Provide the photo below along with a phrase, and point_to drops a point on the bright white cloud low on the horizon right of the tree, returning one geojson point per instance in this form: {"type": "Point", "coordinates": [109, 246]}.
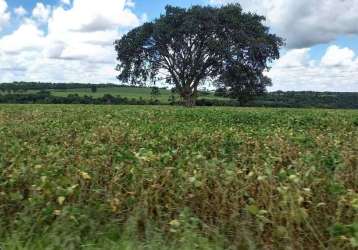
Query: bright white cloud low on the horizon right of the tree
{"type": "Point", "coordinates": [336, 71]}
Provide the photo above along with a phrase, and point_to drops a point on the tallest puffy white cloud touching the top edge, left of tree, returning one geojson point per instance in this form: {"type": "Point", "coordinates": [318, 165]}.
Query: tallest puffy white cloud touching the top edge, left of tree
{"type": "Point", "coordinates": [88, 29]}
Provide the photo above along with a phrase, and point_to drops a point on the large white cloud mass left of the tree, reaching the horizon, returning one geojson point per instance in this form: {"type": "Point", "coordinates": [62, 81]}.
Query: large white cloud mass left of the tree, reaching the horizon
{"type": "Point", "coordinates": [76, 46]}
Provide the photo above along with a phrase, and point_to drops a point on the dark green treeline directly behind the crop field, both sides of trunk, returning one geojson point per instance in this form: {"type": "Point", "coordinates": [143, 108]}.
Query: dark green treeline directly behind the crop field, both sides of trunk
{"type": "Point", "coordinates": [276, 99]}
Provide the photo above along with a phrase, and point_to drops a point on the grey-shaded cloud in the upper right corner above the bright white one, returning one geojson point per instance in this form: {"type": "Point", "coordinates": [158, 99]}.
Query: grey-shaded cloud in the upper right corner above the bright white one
{"type": "Point", "coordinates": [305, 23]}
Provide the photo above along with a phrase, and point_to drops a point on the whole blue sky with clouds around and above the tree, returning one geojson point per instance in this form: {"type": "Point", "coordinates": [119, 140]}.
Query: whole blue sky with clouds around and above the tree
{"type": "Point", "coordinates": [72, 40]}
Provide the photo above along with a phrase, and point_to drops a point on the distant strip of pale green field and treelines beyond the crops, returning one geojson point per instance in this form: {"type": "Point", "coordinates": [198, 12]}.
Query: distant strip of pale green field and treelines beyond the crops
{"type": "Point", "coordinates": [82, 94]}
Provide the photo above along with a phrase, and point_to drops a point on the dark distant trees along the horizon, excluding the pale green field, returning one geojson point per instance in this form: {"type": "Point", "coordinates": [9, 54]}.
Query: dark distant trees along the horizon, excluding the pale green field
{"type": "Point", "coordinates": [16, 93]}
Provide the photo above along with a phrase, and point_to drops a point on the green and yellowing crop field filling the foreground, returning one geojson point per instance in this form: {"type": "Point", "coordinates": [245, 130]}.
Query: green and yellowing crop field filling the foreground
{"type": "Point", "coordinates": [130, 177]}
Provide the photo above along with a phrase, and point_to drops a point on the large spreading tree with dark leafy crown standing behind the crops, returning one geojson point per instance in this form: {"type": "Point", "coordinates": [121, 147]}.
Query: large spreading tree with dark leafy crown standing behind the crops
{"type": "Point", "coordinates": [189, 47]}
